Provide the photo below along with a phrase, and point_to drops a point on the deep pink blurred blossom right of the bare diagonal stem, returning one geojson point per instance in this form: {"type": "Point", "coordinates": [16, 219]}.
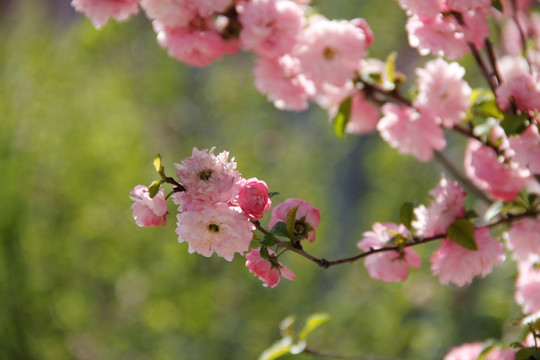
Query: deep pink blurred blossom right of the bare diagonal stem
{"type": "Point", "coordinates": [502, 181]}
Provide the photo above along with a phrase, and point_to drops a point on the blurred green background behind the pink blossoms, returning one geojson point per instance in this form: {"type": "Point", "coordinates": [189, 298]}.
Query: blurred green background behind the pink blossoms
{"type": "Point", "coordinates": [82, 114]}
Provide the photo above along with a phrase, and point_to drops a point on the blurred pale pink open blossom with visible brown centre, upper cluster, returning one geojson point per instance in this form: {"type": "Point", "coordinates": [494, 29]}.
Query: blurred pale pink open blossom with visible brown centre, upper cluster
{"type": "Point", "coordinates": [330, 51]}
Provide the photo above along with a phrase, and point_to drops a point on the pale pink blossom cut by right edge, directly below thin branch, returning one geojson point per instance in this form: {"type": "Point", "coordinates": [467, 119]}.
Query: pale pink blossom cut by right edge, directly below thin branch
{"type": "Point", "coordinates": [524, 238]}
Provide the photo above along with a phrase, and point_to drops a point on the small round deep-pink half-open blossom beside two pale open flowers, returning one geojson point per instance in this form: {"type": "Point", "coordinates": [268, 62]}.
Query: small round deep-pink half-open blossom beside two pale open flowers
{"type": "Point", "coordinates": [253, 198]}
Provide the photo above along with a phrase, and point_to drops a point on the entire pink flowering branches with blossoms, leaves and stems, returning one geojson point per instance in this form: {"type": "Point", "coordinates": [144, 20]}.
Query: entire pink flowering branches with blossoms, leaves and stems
{"type": "Point", "coordinates": [303, 57]}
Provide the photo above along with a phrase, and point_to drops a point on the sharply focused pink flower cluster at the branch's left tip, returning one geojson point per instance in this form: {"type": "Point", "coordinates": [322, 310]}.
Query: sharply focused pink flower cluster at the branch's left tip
{"type": "Point", "coordinates": [217, 210]}
